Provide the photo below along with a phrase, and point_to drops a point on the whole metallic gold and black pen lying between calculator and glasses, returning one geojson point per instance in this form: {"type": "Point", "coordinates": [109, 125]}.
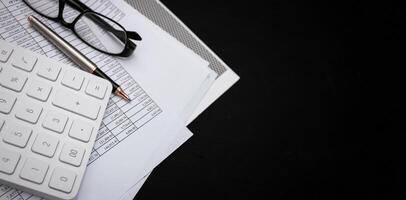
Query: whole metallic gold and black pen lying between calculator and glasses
{"type": "Point", "coordinates": [74, 54]}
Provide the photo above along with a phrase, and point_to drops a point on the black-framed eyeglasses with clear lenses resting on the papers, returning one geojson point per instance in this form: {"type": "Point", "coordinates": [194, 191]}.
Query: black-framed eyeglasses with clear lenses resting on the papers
{"type": "Point", "coordinates": [94, 29]}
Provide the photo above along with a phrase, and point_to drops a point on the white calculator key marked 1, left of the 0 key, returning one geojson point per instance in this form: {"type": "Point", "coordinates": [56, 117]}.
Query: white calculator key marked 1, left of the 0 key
{"type": "Point", "coordinates": [34, 170]}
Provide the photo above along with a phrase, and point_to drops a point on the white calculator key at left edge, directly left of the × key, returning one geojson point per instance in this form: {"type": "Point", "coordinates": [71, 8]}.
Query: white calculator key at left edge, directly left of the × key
{"type": "Point", "coordinates": [12, 79]}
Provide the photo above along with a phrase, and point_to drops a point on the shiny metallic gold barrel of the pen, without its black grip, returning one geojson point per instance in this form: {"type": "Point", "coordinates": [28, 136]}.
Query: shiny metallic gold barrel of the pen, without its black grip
{"type": "Point", "coordinates": [74, 54]}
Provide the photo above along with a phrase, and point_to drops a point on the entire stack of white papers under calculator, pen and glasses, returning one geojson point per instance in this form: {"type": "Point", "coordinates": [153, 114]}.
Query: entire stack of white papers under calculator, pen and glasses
{"type": "Point", "coordinates": [168, 83]}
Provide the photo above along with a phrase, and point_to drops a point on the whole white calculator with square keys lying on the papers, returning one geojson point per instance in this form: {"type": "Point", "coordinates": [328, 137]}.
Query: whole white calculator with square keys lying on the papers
{"type": "Point", "coordinates": [50, 114]}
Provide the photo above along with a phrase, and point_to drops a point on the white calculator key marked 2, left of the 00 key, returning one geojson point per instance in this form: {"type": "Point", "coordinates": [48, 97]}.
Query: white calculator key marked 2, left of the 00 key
{"type": "Point", "coordinates": [45, 145]}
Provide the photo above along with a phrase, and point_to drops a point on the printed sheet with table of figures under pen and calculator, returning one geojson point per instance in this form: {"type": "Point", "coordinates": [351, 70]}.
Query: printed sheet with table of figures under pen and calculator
{"type": "Point", "coordinates": [121, 118]}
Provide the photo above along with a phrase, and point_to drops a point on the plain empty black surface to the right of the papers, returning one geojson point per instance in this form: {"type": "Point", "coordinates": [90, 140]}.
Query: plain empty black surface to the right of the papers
{"type": "Point", "coordinates": [318, 113]}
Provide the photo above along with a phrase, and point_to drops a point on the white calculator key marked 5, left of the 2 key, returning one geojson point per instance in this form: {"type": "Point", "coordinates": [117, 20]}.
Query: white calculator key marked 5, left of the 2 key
{"type": "Point", "coordinates": [16, 134]}
